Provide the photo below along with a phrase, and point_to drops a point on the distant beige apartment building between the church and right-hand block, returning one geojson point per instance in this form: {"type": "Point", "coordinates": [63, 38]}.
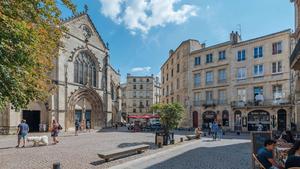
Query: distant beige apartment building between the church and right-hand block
{"type": "Point", "coordinates": [139, 94]}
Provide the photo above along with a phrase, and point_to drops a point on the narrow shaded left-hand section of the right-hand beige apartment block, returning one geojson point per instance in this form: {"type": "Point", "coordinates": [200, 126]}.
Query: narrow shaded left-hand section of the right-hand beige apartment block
{"type": "Point", "coordinates": [174, 77]}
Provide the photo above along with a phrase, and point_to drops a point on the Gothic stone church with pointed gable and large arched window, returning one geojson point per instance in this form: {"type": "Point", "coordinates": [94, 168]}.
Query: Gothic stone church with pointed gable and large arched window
{"type": "Point", "coordinates": [87, 86]}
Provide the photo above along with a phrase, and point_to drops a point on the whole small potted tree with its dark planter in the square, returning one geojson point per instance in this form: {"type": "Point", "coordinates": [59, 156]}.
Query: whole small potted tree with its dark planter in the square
{"type": "Point", "coordinates": [170, 116]}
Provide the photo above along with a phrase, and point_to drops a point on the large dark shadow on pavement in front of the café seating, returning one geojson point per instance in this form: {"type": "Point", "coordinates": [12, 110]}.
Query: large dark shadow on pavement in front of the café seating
{"type": "Point", "coordinates": [236, 156]}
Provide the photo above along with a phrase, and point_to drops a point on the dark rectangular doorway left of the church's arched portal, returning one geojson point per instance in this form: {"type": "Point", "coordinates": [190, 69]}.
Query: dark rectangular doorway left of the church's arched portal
{"type": "Point", "coordinates": [32, 119]}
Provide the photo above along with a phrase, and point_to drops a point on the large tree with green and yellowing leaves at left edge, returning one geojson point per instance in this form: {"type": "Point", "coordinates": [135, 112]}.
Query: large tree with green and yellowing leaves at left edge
{"type": "Point", "coordinates": [29, 41]}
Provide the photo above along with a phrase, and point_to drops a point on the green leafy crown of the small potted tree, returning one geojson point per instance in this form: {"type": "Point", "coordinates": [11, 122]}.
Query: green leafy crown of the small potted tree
{"type": "Point", "coordinates": [170, 114]}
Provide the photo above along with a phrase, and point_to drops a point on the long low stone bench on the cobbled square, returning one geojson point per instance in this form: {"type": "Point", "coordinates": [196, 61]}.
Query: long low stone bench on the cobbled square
{"type": "Point", "coordinates": [107, 155]}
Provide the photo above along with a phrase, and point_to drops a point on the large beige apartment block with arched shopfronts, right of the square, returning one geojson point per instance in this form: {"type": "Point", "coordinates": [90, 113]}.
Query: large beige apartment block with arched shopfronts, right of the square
{"type": "Point", "coordinates": [238, 83]}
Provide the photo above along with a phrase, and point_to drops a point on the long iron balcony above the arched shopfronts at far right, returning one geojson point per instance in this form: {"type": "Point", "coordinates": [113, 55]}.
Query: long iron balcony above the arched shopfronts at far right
{"type": "Point", "coordinates": [264, 103]}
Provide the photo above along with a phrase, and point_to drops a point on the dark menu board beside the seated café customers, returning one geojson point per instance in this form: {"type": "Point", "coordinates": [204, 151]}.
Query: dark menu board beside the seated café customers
{"type": "Point", "coordinates": [258, 139]}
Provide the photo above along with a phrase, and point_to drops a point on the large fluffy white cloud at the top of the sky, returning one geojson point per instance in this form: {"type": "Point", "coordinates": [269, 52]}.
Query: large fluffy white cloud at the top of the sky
{"type": "Point", "coordinates": [142, 15]}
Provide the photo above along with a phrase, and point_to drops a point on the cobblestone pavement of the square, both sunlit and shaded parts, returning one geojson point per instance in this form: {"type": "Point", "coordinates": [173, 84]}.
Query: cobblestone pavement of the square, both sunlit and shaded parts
{"type": "Point", "coordinates": [80, 152]}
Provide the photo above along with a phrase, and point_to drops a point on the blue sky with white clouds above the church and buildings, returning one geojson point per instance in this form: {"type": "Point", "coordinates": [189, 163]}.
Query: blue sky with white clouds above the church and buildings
{"type": "Point", "coordinates": [141, 32]}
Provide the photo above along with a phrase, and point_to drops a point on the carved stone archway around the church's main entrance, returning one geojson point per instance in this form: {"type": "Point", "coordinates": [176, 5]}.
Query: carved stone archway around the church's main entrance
{"type": "Point", "coordinates": [97, 115]}
